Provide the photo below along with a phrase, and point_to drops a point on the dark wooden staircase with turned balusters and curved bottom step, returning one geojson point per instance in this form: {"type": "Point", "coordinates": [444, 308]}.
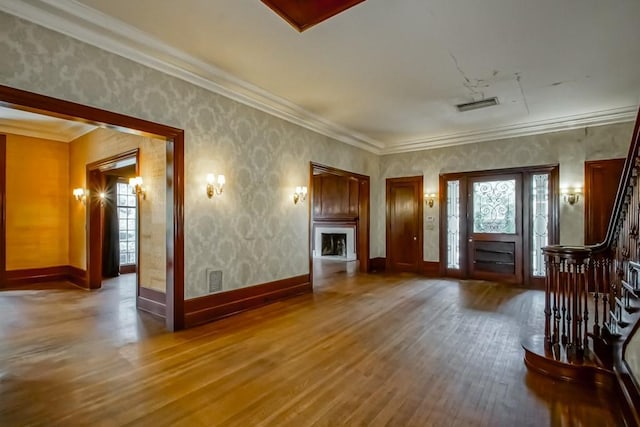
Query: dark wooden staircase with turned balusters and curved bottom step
{"type": "Point", "coordinates": [592, 303]}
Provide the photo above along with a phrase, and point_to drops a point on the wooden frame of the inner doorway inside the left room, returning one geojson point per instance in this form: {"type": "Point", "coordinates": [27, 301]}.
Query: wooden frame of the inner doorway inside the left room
{"type": "Point", "coordinates": [94, 217]}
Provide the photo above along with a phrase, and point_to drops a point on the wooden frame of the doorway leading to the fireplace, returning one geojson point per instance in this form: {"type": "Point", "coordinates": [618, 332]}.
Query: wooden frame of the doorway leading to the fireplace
{"type": "Point", "coordinates": [362, 222]}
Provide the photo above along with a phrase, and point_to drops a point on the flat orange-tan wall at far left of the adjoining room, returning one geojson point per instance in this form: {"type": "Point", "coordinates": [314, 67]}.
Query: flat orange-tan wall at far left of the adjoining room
{"type": "Point", "coordinates": [37, 203]}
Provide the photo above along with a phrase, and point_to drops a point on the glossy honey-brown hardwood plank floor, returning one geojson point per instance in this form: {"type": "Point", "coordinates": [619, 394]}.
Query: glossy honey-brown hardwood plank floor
{"type": "Point", "coordinates": [362, 350]}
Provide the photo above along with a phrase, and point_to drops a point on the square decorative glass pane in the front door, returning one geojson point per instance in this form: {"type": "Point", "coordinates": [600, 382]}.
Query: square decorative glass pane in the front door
{"type": "Point", "coordinates": [494, 207]}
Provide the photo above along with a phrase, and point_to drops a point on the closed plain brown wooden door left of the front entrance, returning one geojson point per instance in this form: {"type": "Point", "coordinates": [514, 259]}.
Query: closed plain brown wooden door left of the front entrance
{"type": "Point", "coordinates": [404, 224]}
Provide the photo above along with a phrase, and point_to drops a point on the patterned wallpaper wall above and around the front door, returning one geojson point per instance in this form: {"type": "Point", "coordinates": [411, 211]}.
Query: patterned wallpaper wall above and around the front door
{"type": "Point", "coordinates": [568, 148]}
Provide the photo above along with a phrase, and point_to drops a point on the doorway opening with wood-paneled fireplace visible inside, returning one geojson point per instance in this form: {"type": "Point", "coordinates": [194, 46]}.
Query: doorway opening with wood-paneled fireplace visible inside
{"type": "Point", "coordinates": [339, 222]}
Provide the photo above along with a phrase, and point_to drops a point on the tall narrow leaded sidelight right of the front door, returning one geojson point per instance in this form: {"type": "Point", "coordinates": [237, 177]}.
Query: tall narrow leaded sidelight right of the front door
{"type": "Point", "coordinates": [540, 221]}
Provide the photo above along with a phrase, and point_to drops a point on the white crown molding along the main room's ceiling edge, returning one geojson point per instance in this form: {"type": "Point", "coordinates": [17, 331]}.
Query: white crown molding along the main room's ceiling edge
{"type": "Point", "coordinates": [95, 28]}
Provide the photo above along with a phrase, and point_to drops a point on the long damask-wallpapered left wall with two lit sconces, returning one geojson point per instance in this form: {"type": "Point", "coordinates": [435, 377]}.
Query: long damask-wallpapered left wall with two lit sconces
{"type": "Point", "coordinates": [253, 233]}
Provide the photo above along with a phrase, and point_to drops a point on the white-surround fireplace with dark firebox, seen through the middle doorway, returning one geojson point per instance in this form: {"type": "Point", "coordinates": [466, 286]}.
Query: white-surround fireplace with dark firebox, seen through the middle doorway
{"type": "Point", "coordinates": [336, 242]}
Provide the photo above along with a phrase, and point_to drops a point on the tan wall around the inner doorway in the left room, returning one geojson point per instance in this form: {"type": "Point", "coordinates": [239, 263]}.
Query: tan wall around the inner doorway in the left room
{"type": "Point", "coordinates": [103, 143]}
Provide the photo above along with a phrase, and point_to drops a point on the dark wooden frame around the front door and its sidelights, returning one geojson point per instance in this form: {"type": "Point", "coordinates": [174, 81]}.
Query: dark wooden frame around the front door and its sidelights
{"type": "Point", "coordinates": [554, 216]}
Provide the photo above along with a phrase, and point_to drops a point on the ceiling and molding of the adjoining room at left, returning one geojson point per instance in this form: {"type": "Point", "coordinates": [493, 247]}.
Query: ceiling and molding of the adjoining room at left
{"type": "Point", "coordinates": [25, 123]}
